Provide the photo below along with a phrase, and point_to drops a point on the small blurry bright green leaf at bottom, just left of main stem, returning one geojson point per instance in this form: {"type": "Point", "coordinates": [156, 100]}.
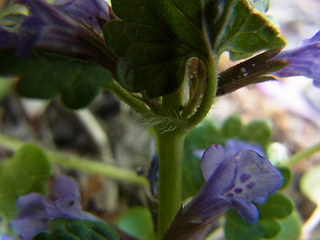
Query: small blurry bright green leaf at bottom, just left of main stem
{"type": "Point", "coordinates": [137, 222]}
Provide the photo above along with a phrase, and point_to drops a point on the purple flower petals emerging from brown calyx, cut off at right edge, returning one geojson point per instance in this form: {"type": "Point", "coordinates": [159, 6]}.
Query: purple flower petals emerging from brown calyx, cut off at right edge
{"type": "Point", "coordinates": [303, 61]}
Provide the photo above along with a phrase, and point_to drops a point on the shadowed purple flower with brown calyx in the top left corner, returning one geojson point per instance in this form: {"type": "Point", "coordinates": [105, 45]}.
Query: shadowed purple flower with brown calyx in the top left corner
{"type": "Point", "coordinates": [68, 27]}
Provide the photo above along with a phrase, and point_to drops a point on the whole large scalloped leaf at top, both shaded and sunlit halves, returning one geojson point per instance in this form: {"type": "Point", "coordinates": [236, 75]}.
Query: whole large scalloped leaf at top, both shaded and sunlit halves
{"type": "Point", "coordinates": [155, 46]}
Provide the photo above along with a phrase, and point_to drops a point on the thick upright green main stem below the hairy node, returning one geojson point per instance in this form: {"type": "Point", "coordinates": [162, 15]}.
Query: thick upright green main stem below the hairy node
{"type": "Point", "coordinates": [170, 150]}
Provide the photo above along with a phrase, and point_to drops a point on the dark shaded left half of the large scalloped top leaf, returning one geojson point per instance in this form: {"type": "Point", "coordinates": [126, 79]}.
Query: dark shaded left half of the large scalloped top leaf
{"type": "Point", "coordinates": [155, 45]}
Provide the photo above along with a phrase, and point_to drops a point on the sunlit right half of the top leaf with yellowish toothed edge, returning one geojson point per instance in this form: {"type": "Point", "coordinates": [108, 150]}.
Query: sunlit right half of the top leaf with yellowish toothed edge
{"type": "Point", "coordinates": [242, 31]}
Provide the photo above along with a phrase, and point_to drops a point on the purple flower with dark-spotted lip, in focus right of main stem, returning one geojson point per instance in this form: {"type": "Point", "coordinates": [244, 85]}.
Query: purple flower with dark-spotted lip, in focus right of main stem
{"type": "Point", "coordinates": [233, 179]}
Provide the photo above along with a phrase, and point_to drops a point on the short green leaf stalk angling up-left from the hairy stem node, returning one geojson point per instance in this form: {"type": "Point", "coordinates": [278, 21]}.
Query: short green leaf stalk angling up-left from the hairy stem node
{"type": "Point", "coordinates": [126, 97]}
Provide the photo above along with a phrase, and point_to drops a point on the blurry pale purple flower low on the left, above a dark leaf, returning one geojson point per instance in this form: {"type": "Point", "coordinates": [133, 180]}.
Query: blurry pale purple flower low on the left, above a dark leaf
{"type": "Point", "coordinates": [35, 211]}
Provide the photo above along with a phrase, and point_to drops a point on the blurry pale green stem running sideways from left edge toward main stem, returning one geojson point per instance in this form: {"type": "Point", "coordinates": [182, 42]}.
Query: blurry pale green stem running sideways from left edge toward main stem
{"type": "Point", "coordinates": [82, 164]}
